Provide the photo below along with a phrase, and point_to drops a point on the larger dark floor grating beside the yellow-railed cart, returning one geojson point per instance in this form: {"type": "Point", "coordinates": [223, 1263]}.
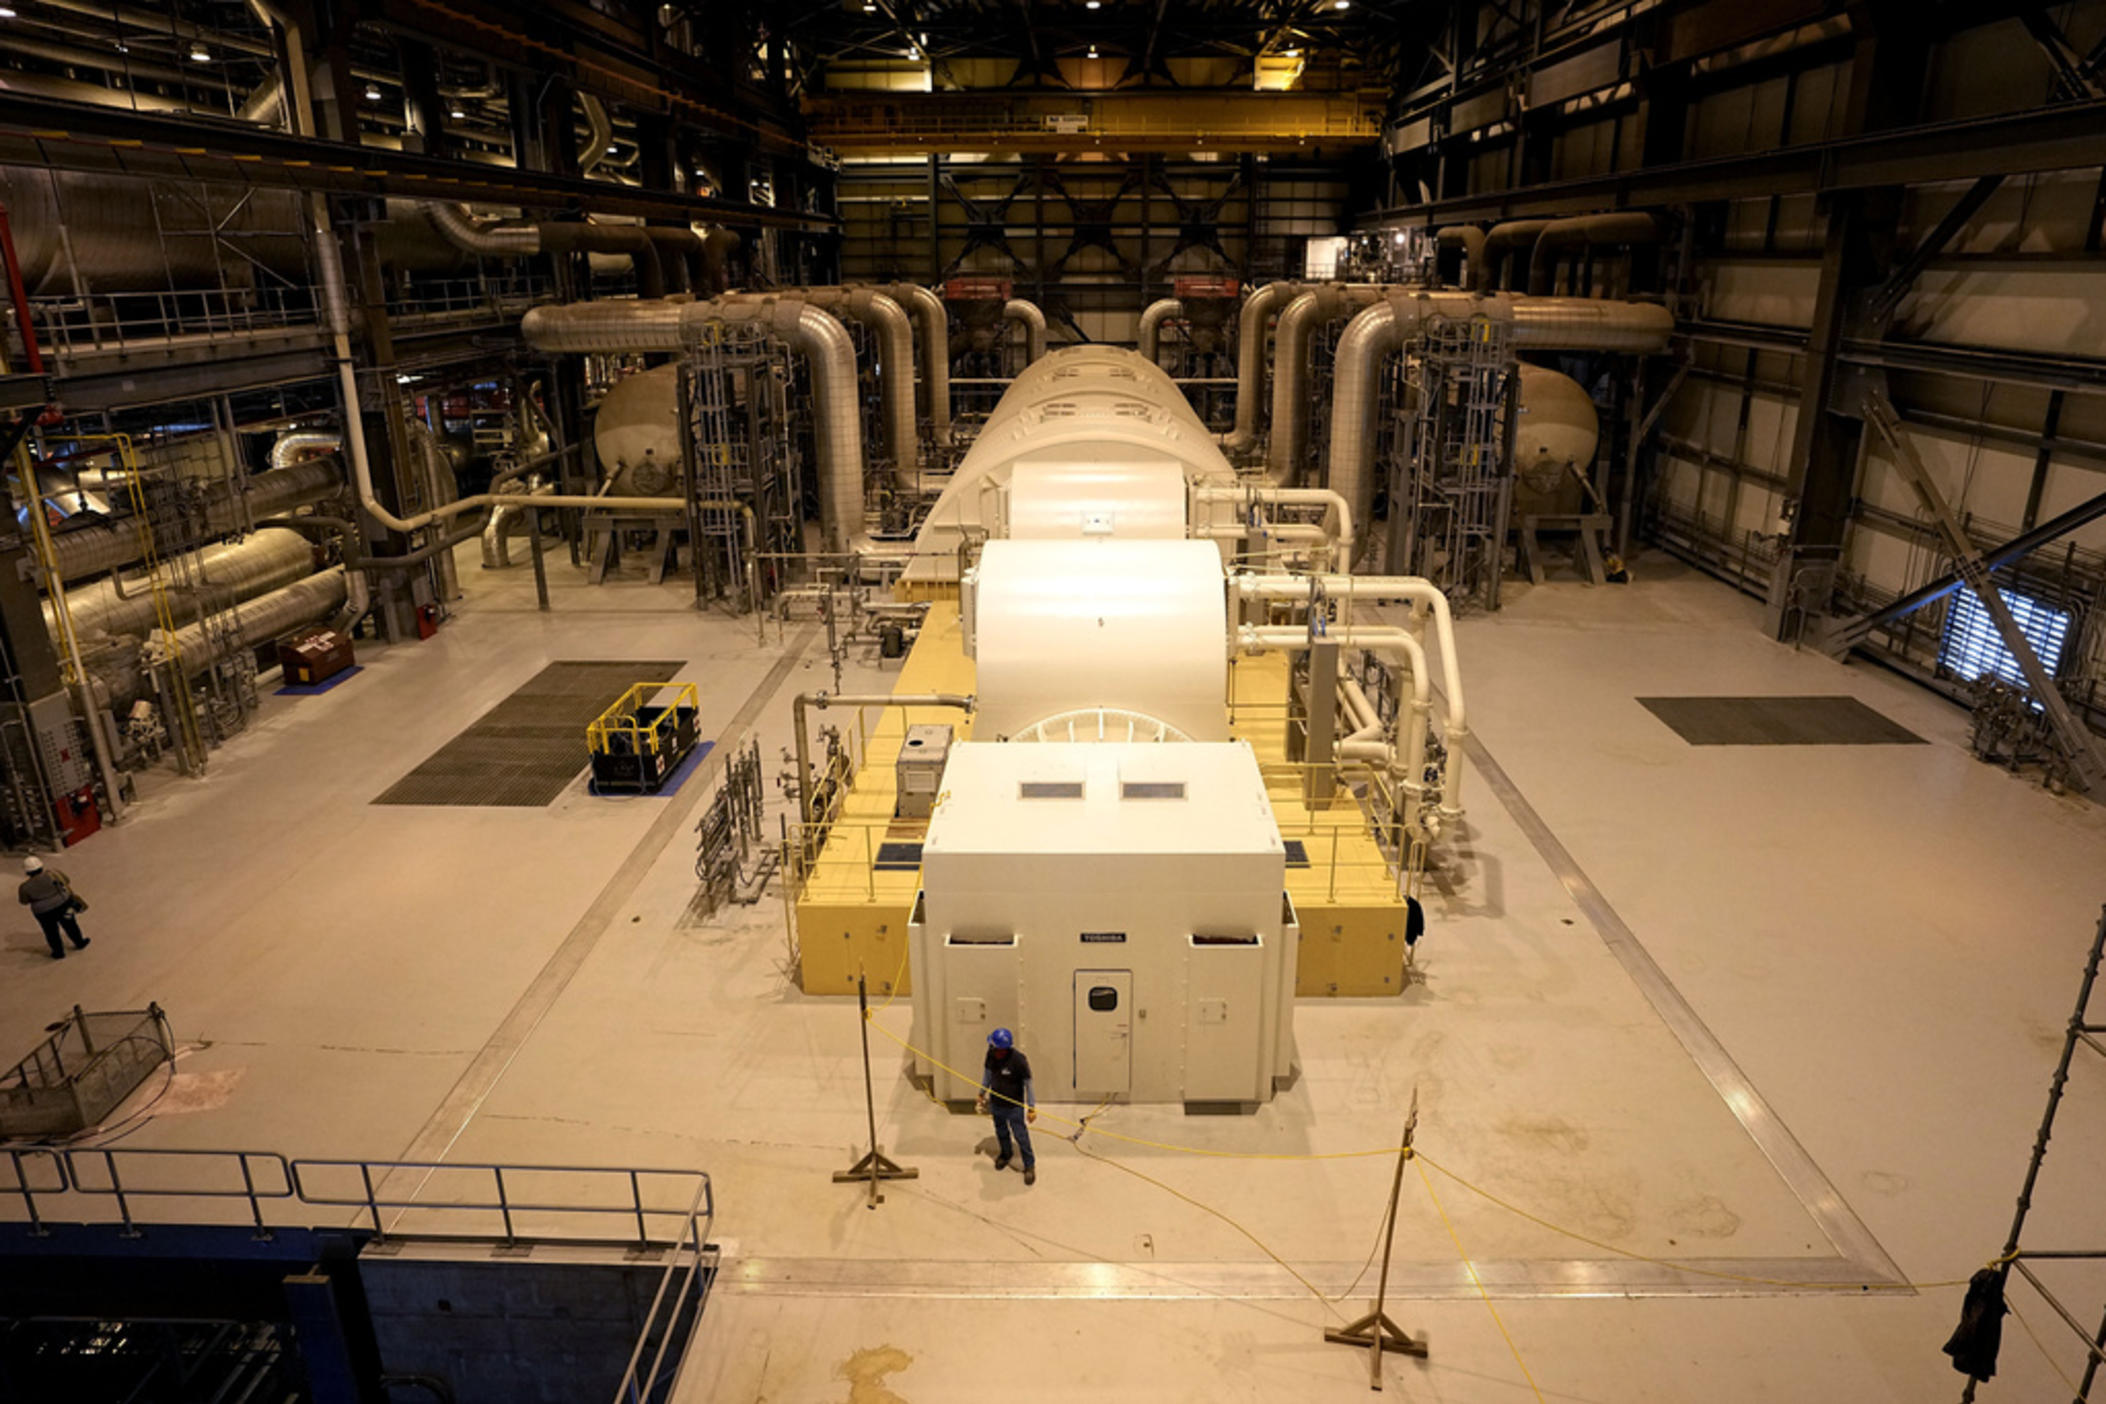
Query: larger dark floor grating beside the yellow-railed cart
{"type": "Point", "coordinates": [525, 750]}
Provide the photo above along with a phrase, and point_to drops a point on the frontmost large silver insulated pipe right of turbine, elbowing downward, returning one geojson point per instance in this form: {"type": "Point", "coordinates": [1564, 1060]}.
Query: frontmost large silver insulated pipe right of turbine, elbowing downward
{"type": "Point", "coordinates": [1541, 325]}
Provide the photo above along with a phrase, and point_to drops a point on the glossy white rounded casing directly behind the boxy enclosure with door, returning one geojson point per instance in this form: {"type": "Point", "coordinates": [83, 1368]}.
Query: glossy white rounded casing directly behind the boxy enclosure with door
{"type": "Point", "coordinates": [1062, 626]}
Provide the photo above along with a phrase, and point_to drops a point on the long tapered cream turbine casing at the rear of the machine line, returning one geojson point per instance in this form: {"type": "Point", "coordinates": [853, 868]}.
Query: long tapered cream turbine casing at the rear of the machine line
{"type": "Point", "coordinates": [1079, 405]}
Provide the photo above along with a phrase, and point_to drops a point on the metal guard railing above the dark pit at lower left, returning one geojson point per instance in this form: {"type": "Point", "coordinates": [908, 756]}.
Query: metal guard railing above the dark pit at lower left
{"type": "Point", "coordinates": [511, 1207]}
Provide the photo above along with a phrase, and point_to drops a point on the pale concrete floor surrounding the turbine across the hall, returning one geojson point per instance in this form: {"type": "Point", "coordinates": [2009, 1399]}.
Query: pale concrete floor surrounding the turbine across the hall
{"type": "Point", "coordinates": [1884, 942]}
